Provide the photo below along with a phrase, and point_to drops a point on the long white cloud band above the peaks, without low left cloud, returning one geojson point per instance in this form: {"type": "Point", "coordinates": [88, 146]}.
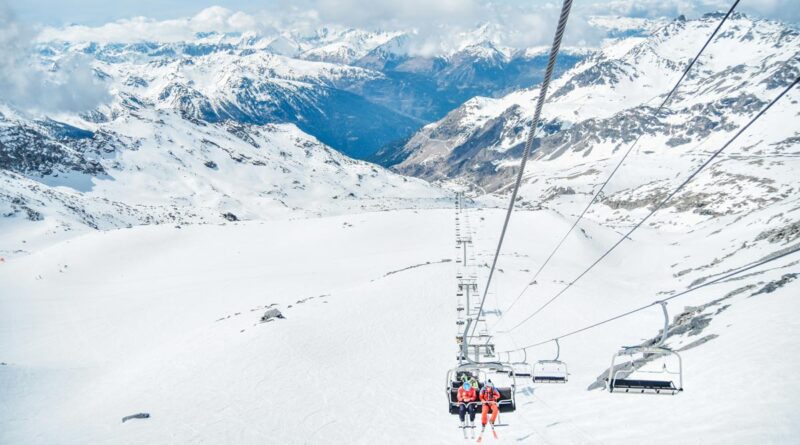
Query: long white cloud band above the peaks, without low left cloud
{"type": "Point", "coordinates": [437, 25]}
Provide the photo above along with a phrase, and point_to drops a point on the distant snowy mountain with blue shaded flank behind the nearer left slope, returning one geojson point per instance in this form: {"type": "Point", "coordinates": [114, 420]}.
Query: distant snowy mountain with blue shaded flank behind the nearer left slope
{"type": "Point", "coordinates": [222, 81]}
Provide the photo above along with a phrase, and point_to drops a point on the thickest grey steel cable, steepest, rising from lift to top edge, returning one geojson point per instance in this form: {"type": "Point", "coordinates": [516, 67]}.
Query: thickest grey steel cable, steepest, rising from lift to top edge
{"type": "Point", "coordinates": [562, 24]}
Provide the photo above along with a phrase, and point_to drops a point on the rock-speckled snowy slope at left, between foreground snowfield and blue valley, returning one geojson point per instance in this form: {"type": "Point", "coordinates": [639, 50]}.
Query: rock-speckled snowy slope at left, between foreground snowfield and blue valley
{"type": "Point", "coordinates": [149, 166]}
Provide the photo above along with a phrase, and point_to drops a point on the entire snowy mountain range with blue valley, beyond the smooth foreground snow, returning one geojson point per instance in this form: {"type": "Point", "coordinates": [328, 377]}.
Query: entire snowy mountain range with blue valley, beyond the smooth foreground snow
{"type": "Point", "coordinates": [230, 127]}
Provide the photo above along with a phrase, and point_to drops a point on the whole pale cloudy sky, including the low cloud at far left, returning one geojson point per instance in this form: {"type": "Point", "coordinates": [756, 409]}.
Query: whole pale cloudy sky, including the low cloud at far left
{"type": "Point", "coordinates": [437, 25]}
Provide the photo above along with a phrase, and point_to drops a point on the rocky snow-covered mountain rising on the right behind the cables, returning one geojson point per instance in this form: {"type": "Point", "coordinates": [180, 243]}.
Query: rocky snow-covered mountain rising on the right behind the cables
{"type": "Point", "coordinates": [602, 104]}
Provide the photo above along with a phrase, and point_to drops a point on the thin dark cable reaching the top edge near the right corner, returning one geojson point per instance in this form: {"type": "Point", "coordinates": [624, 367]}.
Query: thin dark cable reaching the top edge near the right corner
{"type": "Point", "coordinates": [617, 167]}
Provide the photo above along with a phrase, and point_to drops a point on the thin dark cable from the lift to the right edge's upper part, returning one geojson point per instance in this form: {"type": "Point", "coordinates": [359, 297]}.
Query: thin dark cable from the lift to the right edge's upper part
{"type": "Point", "coordinates": [660, 205]}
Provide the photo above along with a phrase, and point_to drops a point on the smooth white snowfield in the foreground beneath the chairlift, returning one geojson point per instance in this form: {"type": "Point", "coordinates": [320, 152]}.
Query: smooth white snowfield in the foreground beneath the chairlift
{"type": "Point", "coordinates": [167, 321]}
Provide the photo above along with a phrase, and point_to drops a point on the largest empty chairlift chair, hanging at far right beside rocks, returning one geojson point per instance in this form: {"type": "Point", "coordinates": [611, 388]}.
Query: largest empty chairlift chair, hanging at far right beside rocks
{"type": "Point", "coordinates": [645, 370]}
